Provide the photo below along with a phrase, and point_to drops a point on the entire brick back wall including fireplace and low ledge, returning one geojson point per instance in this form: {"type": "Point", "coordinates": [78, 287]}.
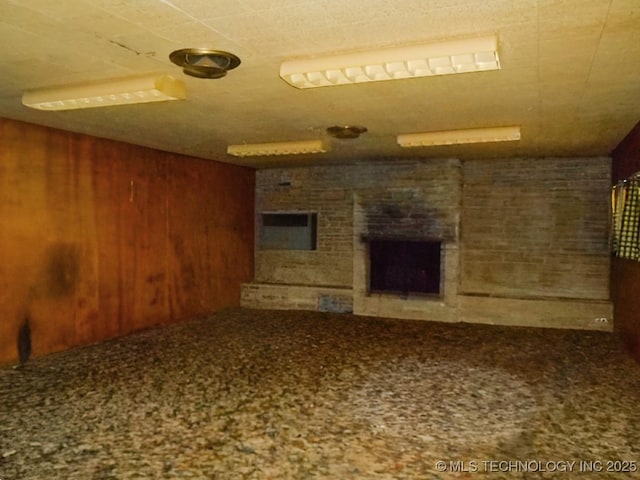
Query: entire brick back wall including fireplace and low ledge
{"type": "Point", "coordinates": [519, 241]}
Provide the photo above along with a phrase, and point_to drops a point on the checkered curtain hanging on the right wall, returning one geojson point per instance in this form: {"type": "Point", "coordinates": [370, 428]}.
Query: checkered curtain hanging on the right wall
{"type": "Point", "coordinates": [625, 202]}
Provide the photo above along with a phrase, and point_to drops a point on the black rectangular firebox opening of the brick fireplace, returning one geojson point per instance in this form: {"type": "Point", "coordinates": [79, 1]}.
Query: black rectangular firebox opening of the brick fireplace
{"type": "Point", "coordinates": [404, 266]}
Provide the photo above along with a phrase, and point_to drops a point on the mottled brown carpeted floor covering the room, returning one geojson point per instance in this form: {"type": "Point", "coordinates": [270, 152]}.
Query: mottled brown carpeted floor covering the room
{"type": "Point", "coordinates": [251, 394]}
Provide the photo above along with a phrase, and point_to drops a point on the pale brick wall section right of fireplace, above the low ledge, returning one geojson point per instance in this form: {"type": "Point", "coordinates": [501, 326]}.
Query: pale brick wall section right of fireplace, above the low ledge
{"type": "Point", "coordinates": [536, 228]}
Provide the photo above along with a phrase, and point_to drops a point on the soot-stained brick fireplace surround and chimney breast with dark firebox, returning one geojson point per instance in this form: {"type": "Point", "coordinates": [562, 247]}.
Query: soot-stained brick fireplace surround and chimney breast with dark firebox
{"type": "Point", "coordinates": [423, 208]}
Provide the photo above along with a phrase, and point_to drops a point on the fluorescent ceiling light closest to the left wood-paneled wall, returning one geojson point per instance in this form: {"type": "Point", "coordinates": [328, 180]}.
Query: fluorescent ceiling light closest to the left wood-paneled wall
{"type": "Point", "coordinates": [125, 91]}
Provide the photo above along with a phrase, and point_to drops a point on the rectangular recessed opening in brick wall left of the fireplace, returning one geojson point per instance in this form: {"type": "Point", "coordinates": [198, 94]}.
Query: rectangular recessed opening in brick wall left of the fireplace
{"type": "Point", "coordinates": [288, 231]}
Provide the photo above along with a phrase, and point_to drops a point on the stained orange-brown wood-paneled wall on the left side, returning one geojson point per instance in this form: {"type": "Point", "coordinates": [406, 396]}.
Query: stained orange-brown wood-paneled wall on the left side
{"type": "Point", "coordinates": [100, 238]}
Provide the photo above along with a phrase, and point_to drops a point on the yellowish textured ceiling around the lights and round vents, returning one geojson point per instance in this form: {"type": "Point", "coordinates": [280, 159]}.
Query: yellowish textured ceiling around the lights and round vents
{"type": "Point", "coordinates": [570, 73]}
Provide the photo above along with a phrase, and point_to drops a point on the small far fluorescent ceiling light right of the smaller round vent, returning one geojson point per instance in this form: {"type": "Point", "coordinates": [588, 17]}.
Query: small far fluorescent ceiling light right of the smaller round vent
{"type": "Point", "coordinates": [451, 137]}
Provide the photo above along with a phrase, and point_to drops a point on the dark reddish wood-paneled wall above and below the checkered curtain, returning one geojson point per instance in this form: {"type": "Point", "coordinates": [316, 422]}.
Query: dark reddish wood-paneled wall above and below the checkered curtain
{"type": "Point", "coordinates": [625, 274]}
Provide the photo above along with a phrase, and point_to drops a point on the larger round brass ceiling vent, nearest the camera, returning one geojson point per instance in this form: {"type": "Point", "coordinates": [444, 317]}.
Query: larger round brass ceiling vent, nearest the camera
{"type": "Point", "coordinates": [203, 62]}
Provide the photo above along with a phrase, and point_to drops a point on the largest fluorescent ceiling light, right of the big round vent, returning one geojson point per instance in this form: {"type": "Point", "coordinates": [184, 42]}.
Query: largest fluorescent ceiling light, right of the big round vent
{"type": "Point", "coordinates": [457, 56]}
